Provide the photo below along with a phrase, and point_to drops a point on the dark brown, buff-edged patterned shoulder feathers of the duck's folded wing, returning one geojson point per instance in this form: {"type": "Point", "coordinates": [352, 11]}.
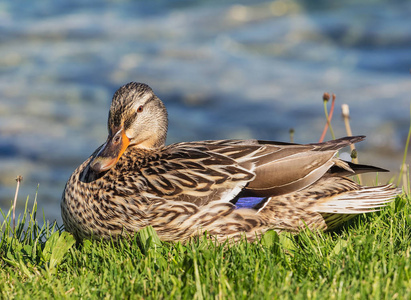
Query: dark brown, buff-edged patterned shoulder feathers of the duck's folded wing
{"type": "Point", "coordinates": [195, 173]}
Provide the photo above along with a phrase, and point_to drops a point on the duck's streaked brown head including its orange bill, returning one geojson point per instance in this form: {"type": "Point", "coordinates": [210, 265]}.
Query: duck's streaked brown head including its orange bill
{"type": "Point", "coordinates": [137, 118]}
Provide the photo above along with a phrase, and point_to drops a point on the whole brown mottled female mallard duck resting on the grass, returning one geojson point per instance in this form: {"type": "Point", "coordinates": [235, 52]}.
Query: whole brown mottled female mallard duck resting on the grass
{"type": "Point", "coordinates": [227, 188]}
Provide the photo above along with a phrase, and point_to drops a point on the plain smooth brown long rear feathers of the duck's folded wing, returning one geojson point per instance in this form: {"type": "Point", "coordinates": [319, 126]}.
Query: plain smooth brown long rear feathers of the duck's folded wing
{"type": "Point", "coordinates": [282, 168]}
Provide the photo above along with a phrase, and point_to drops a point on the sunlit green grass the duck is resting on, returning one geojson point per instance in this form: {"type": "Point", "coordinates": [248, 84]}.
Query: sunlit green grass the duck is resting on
{"type": "Point", "coordinates": [367, 259]}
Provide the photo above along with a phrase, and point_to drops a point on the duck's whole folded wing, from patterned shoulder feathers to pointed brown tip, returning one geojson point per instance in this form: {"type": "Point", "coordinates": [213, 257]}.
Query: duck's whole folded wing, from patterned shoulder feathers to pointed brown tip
{"type": "Point", "coordinates": [200, 172]}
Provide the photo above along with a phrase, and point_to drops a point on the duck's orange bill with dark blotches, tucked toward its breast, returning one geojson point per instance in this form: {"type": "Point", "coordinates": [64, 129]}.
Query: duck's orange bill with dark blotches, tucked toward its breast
{"type": "Point", "coordinates": [110, 153]}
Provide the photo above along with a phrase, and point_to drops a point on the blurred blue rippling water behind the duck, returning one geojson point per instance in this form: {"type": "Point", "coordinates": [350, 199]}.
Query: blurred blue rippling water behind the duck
{"type": "Point", "coordinates": [225, 69]}
